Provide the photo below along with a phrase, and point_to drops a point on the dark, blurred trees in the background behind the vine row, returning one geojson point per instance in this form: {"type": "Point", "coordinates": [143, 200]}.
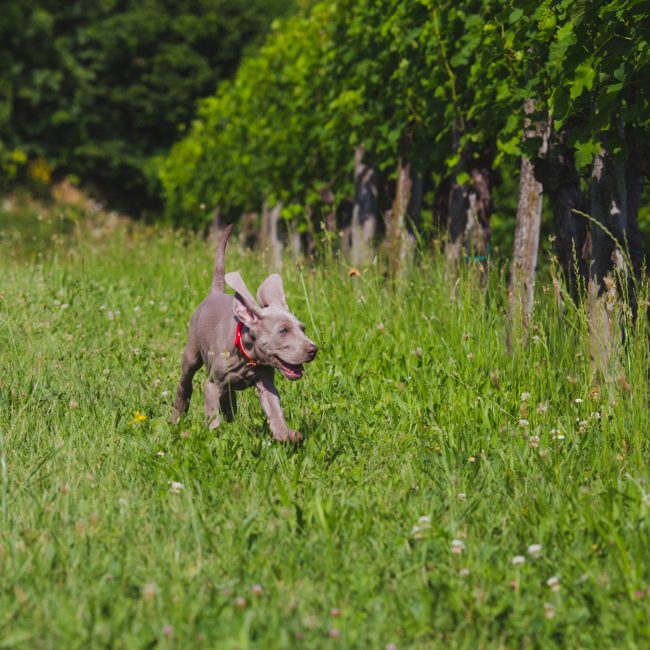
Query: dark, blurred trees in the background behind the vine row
{"type": "Point", "coordinates": [100, 88]}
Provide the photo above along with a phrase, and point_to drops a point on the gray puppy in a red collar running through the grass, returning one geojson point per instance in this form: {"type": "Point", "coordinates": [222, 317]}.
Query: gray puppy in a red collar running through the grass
{"type": "Point", "coordinates": [242, 342]}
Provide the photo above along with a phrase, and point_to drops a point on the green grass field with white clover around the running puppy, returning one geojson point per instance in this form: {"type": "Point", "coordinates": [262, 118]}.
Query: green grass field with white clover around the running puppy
{"type": "Point", "coordinates": [434, 463]}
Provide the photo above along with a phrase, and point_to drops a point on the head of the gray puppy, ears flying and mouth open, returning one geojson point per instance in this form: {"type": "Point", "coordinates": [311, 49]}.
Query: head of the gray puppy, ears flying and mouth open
{"type": "Point", "coordinates": [278, 336]}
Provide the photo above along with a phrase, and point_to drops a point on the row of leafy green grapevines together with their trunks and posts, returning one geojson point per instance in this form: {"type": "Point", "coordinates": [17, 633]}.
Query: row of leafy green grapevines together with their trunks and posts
{"type": "Point", "coordinates": [431, 93]}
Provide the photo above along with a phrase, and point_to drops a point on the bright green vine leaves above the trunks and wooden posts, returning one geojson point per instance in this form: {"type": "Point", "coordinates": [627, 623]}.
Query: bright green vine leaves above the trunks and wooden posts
{"type": "Point", "coordinates": [445, 80]}
